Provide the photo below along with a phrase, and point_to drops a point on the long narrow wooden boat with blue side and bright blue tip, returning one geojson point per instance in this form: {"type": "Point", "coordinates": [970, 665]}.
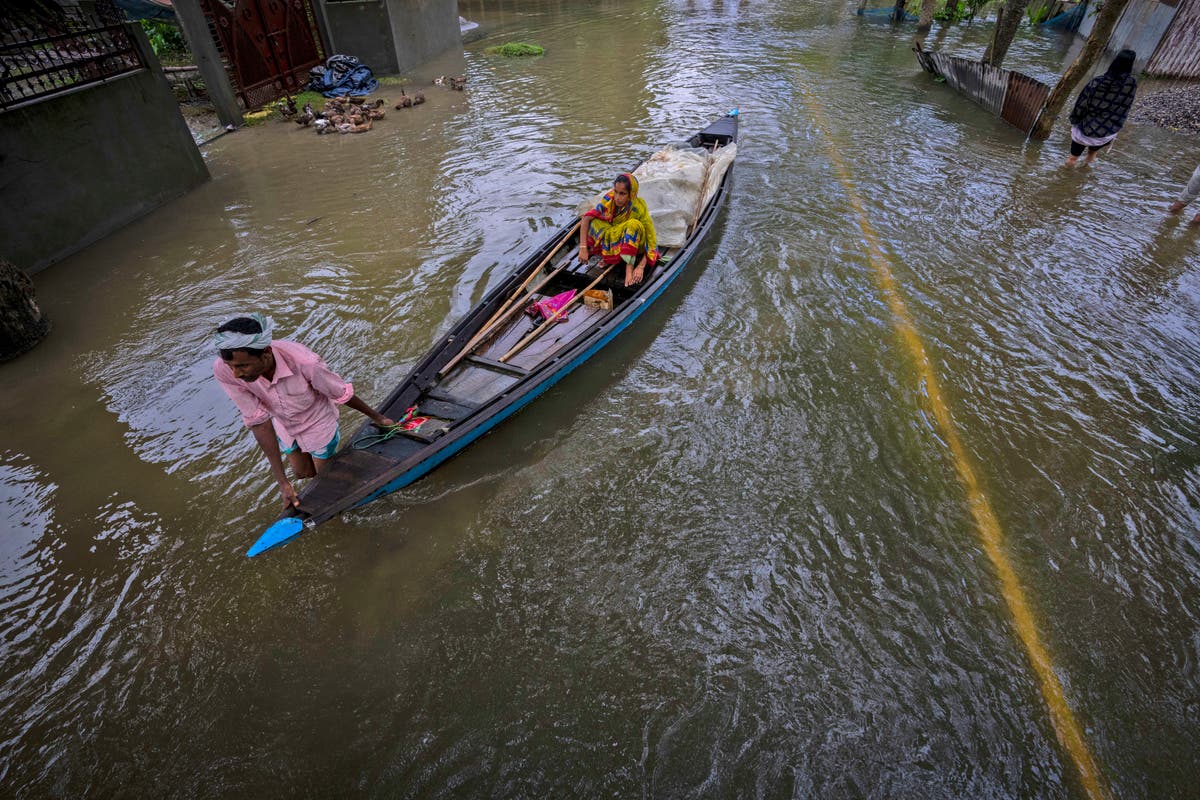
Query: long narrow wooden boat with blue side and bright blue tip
{"type": "Point", "coordinates": [496, 360]}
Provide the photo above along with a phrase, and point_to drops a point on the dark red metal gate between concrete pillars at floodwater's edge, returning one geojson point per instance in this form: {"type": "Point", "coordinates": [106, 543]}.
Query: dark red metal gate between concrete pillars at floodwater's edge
{"type": "Point", "coordinates": [269, 45]}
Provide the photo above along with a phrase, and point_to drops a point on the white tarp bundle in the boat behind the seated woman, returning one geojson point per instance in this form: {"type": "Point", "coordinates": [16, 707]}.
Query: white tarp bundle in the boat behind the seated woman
{"type": "Point", "coordinates": [673, 182]}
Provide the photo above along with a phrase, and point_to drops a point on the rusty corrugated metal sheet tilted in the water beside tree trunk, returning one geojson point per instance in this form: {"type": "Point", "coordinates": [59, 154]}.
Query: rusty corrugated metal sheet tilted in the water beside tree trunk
{"type": "Point", "coordinates": [1015, 98]}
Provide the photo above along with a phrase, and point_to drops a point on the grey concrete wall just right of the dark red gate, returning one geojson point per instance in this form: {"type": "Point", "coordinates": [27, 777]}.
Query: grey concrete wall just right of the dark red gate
{"type": "Point", "coordinates": [392, 37]}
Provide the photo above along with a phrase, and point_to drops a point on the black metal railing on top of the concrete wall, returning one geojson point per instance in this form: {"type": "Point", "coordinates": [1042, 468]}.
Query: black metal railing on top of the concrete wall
{"type": "Point", "coordinates": [47, 49]}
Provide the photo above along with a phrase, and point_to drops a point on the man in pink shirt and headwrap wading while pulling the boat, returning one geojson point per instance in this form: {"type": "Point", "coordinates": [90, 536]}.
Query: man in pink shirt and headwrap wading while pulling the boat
{"type": "Point", "coordinates": [287, 396]}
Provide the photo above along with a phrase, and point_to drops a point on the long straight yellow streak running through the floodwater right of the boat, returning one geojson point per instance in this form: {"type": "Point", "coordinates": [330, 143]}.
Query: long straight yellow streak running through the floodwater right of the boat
{"type": "Point", "coordinates": [991, 533]}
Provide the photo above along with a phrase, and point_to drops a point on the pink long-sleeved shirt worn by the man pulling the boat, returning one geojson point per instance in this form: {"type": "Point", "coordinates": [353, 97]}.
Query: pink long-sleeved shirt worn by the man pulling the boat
{"type": "Point", "coordinates": [301, 400]}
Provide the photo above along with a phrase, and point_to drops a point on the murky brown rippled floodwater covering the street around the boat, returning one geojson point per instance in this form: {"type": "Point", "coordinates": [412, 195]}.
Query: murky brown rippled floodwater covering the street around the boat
{"type": "Point", "coordinates": [914, 447]}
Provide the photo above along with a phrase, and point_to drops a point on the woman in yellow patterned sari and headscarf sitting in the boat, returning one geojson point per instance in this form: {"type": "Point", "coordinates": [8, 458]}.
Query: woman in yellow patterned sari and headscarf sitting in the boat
{"type": "Point", "coordinates": [621, 230]}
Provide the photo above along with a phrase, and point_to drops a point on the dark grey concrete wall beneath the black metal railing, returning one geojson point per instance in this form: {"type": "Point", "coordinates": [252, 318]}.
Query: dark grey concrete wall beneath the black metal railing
{"type": "Point", "coordinates": [76, 167]}
